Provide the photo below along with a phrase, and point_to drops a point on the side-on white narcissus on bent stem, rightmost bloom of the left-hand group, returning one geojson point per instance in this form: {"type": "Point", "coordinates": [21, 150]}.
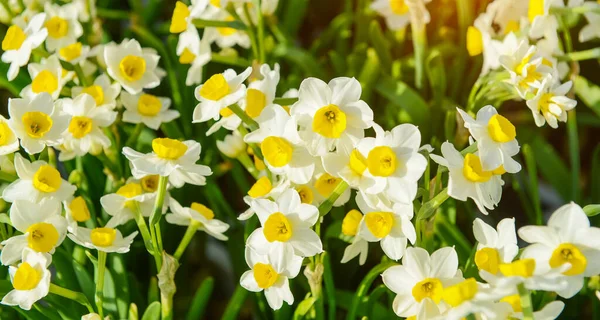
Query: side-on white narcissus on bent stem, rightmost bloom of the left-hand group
{"type": "Point", "coordinates": [199, 215]}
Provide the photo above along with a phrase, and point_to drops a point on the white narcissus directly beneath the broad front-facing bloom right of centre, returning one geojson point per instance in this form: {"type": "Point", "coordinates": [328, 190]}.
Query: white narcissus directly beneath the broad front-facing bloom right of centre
{"type": "Point", "coordinates": [386, 225]}
